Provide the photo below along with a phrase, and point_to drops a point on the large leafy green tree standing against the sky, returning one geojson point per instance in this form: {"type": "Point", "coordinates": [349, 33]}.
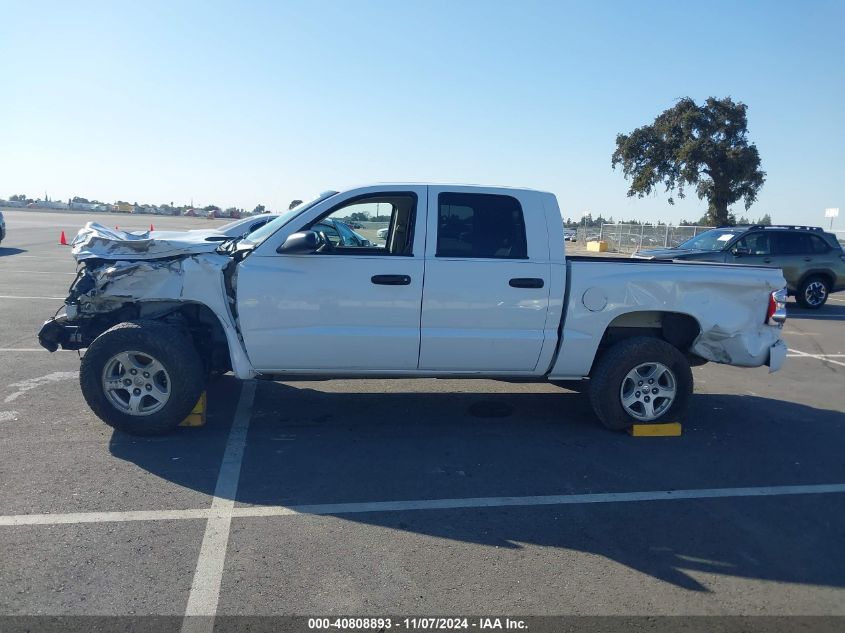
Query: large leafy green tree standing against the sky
{"type": "Point", "coordinates": [688, 145]}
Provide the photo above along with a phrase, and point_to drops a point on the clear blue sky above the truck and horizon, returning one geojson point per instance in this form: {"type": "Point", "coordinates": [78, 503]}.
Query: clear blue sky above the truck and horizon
{"type": "Point", "coordinates": [239, 103]}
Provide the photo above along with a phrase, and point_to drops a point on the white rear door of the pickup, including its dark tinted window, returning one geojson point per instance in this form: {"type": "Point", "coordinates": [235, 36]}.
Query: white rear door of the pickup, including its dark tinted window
{"type": "Point", "coordinates": [486, 290]}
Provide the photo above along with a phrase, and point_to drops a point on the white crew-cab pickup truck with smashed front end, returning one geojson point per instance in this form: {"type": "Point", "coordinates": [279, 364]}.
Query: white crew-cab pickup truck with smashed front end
{"type": "Point", "coordinates": [470, 282]}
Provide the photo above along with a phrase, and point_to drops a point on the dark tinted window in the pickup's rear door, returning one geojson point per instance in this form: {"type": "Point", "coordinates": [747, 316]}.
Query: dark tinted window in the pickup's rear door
{"type": "Point", "coordinates": [475, 225]}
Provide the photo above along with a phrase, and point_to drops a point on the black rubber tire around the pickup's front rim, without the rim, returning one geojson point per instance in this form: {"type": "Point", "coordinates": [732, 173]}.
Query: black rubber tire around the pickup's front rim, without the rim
{"type": "Point", "coordinates": [170, 347]}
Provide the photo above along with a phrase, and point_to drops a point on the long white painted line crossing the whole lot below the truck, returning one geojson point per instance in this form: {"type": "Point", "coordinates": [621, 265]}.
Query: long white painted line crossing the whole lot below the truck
{"type": "Point", "coordinates": [421, 504]}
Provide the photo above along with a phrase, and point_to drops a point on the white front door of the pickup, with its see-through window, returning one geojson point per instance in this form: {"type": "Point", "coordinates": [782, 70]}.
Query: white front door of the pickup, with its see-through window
{"type": "Point", "coordinates": [353, 306]}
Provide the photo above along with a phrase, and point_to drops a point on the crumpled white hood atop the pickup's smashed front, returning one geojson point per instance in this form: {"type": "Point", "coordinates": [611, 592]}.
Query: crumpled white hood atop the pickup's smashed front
{"type": "Point", "coordinates": [97, 241]}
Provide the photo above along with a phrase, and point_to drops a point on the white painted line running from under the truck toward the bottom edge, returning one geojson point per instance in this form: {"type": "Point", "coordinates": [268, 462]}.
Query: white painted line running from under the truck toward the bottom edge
{"type": "Point", "coordinates": [205, 589]}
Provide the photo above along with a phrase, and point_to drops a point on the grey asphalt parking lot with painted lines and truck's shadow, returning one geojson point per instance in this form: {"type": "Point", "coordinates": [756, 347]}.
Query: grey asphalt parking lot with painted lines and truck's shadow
{"type": "Point", "coordinates": [413, 496]}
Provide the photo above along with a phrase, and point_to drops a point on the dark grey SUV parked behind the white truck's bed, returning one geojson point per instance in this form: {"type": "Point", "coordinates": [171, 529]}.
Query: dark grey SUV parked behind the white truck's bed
{"type": "Point", "coordinates": [812, 261]}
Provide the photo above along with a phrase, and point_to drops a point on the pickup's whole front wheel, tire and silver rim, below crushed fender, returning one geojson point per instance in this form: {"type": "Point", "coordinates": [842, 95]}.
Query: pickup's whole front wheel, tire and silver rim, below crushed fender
{"type": "Point", "coordinates": [142, 377]}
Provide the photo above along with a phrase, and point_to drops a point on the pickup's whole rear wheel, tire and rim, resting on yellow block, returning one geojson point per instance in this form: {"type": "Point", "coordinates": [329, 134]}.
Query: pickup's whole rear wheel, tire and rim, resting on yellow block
{"type": "Point", "coordinates": [640, 380]}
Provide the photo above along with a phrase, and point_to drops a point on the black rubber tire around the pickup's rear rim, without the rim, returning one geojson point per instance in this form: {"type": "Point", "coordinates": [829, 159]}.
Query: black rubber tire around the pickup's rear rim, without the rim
{"type": "Point", "coordinates": [611, 369]}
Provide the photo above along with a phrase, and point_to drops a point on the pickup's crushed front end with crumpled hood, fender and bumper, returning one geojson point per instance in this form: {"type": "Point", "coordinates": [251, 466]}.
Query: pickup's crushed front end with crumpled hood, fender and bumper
{"type": "Point", "coordinates": [125, 276]}
